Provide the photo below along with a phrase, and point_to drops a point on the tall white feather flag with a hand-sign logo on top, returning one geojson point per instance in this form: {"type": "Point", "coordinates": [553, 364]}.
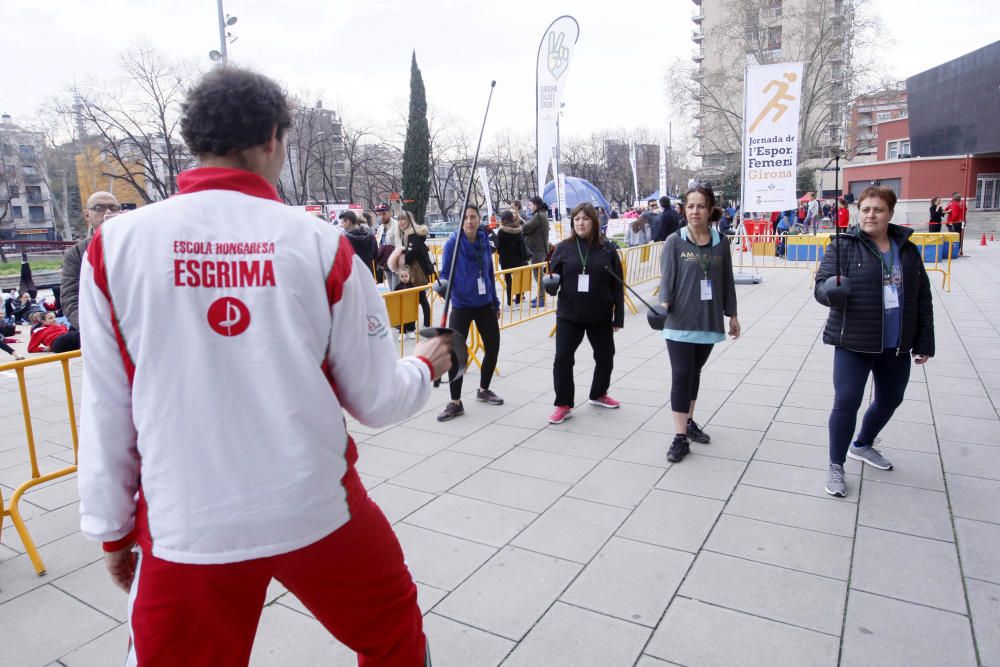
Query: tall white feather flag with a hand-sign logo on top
{"type": "Point", "coordinates": [554, 55]}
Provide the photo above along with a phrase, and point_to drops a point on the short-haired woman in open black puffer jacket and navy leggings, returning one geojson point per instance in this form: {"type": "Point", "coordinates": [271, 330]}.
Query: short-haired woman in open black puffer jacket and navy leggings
{"type": "Point", "coordinates": [877, 320]}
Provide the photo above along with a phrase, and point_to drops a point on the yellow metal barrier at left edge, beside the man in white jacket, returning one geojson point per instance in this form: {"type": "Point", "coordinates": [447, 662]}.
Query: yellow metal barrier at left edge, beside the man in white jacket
{"type": "Point", "coordinates": [37, 477]}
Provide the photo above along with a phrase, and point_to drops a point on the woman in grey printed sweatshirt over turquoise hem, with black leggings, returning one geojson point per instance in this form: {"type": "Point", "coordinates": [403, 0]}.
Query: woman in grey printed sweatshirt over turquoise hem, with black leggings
{"type": "Point", "coordinates": [697, 289]}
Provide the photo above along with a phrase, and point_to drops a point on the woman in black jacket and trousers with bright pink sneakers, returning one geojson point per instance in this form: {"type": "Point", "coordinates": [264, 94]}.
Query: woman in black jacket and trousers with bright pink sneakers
{"type": "Point", "coordinates": [591, 302]}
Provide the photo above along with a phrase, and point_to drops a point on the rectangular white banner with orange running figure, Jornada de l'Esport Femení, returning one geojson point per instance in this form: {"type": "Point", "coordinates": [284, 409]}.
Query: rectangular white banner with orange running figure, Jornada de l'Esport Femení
{"type": "Point", "coordinates": [772, 98]}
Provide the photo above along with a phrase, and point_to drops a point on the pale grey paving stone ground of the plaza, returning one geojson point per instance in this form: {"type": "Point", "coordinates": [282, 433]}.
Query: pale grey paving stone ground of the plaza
{"type": "Point", "coordinates": [579, 544]}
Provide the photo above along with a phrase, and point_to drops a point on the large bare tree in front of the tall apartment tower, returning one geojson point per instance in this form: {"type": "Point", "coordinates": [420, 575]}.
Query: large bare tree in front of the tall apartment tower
{"type": "Point", "coordinates": [834, 38]}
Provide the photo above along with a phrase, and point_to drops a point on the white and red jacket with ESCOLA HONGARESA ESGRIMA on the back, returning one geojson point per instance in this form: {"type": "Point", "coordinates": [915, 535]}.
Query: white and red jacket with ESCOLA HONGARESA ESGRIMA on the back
{"type": "Point", "coordinates": [224, 336]}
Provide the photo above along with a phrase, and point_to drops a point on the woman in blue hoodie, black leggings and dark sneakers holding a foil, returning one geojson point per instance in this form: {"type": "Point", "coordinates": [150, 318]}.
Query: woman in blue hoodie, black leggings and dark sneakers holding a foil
{"type": "Point", "coordinates": [474, 299]}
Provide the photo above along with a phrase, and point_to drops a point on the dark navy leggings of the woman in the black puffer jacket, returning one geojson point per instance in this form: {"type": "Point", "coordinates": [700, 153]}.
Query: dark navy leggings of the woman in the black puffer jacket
{"type": "Point", "coordinates": [850, 374]}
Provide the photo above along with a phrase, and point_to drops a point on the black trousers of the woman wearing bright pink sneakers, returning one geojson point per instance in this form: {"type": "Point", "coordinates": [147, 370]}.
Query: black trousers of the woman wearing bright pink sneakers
{"type": "Point", "coordinates": [569, 335]}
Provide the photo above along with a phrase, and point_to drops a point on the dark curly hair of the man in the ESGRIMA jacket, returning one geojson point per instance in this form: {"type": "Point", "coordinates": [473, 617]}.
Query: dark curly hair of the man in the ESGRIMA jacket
{"type": "Point", "coordinates": [232, 109]}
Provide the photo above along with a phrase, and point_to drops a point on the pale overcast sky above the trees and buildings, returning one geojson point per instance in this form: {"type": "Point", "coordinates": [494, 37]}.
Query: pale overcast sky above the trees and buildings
{"type": "Point", "coordinates": [355, 55]}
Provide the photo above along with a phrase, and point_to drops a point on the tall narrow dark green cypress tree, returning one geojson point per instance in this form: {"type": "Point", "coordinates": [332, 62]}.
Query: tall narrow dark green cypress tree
{"type": "Point", "coordinates": [417, 149]}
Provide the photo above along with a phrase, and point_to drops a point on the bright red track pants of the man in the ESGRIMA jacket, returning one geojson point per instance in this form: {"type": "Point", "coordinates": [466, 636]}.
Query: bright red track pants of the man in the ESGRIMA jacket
{"type": "Point", "coordinates": [354, 581]}
